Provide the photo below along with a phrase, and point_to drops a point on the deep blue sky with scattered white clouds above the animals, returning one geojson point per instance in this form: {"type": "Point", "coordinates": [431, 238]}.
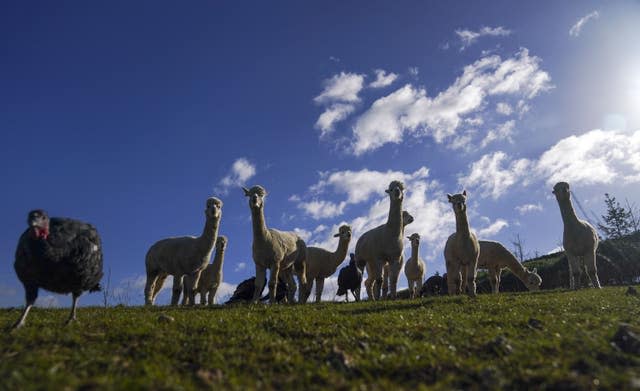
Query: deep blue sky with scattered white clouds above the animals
{"type": "Point", "coordinates": [129, 115]}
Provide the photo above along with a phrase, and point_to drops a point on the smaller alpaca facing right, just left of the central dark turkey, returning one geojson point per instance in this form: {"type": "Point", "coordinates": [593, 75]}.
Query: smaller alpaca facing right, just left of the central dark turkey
{"type": "Point", "coordinates": [322, 263]}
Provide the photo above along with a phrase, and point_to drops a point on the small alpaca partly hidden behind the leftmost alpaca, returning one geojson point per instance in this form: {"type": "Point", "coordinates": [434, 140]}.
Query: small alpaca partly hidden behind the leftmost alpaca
{"type": "Point", "coordinates": [210, 278]}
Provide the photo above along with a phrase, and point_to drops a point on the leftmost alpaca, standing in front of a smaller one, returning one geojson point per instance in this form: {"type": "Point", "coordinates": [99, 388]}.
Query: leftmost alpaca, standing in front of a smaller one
{"type": "Point", "coordinates": [180, 256]}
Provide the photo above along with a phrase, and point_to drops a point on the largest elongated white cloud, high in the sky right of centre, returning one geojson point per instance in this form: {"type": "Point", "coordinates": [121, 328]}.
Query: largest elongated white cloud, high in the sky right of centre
{"type": "Point", "coordinates": [410, 110]}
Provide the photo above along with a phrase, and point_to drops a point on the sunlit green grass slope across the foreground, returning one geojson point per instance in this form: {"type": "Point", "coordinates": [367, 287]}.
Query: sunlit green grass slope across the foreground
{"type": "Point", "coordinates": [437, 343]}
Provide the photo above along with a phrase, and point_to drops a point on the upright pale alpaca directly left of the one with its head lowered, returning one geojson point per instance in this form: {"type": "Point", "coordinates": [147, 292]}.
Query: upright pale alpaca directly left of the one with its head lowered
{"type": "Point", "coordinates": [461, 250]}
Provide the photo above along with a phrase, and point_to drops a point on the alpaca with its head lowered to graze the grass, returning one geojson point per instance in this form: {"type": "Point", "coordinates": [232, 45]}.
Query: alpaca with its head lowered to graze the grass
{"type": "Point", "coordinates": [495, 257]}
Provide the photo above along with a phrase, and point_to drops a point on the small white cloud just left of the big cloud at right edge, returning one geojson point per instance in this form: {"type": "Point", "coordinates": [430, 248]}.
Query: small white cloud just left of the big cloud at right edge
{"type": "Point", "coordinates": [493, 174]}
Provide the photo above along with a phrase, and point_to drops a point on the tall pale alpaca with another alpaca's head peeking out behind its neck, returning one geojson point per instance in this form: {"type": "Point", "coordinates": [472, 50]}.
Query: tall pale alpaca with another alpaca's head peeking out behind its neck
{"type": "Point", "coordinates": [383, 244]}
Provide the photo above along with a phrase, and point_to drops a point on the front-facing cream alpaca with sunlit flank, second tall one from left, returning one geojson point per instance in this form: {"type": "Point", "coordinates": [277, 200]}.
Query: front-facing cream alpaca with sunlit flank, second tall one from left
{"type": "Point", "coordinates": [277, 250]}
